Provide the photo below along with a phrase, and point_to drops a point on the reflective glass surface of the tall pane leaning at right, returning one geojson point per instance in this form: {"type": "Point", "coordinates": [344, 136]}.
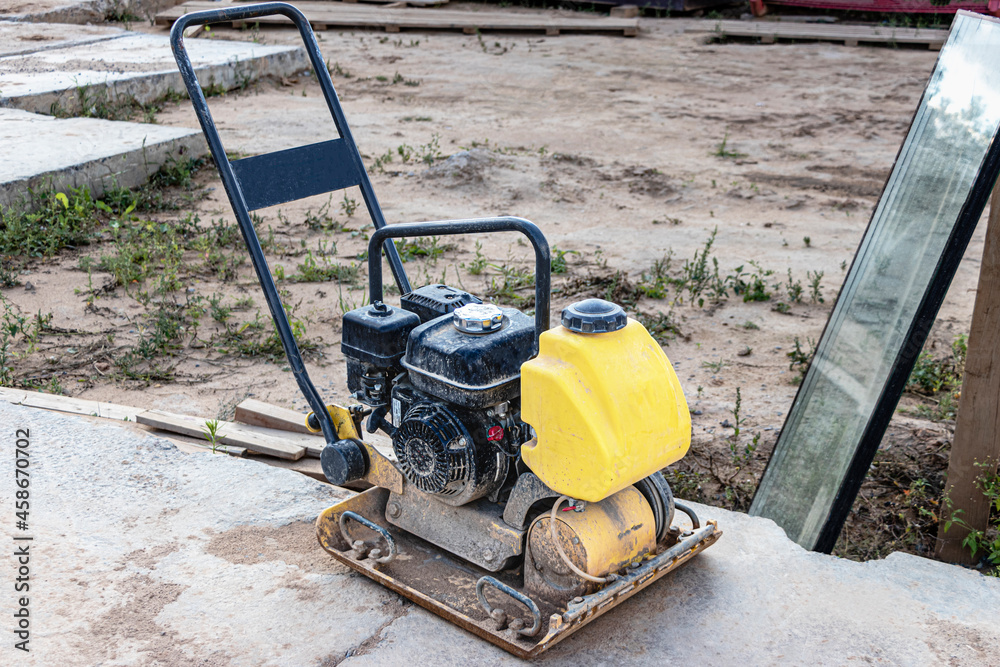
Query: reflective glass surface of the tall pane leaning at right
{"type": "Point", "coordinates": [898, 257]}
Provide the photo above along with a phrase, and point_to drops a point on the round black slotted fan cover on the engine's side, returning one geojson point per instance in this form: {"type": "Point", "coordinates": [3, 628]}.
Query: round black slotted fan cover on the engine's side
{"type": "Point", "coordinates": [437, 455]}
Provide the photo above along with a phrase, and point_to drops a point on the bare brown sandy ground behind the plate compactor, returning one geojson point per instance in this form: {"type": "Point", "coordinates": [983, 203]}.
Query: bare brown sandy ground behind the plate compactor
{"type": "Point", "coordinates": [609, 145]}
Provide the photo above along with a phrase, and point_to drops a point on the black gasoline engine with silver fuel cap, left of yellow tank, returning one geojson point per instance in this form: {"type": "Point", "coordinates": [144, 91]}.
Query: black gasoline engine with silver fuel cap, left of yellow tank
{"type": "Point", "coordinates": [441, 375]}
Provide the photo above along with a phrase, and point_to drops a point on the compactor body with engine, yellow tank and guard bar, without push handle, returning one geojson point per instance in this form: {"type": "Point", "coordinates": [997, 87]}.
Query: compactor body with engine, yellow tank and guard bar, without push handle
{"type": "Point", "coordinates": [522, 450]}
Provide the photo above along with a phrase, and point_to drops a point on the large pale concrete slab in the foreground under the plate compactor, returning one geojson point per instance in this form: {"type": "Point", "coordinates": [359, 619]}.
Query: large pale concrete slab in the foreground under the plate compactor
{"type": "Point", "coordinates": [144, 555]}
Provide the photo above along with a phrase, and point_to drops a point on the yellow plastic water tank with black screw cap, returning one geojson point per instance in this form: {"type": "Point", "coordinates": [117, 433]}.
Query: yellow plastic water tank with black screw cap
{"type": "Point", "coordinates": [607, 407]}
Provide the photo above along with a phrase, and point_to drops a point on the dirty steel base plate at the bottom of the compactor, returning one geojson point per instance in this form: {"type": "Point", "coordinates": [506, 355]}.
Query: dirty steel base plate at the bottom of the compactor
{"type": "Point", "coordinates": [446, 585]}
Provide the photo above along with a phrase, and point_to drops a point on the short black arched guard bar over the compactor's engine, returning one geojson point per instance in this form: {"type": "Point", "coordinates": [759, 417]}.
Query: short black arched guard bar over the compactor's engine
{"type": "Point", "coordinates": [543, 269]}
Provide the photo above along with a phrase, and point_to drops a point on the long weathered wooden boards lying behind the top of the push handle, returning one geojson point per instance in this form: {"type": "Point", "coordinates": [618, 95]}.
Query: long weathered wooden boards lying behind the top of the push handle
{"type": "Point", "coordinates": [325, 15]}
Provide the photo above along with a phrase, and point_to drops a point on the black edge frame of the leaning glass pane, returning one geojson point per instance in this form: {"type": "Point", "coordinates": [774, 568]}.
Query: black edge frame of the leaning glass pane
{"type": "Point", "coordinates": [920, 327]}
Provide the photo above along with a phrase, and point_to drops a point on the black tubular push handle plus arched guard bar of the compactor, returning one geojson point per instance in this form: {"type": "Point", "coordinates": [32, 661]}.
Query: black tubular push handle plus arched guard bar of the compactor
{"type": "Point", "coordinates": [288, 175]}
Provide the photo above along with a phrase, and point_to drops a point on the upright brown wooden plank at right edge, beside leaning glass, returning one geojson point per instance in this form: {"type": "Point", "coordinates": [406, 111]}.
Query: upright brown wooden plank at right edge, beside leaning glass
{"type": "Point", "coordinates": [978, 421]}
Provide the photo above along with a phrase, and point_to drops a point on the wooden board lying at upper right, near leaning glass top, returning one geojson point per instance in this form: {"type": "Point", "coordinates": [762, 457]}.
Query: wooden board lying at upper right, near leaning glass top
{"type": "Point", "coordinates": [850, 35]}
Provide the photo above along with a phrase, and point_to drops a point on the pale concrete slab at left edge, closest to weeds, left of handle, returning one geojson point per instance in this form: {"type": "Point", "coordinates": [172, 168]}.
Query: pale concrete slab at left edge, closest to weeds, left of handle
{"type": "Point", "coordinates": [42, 152]}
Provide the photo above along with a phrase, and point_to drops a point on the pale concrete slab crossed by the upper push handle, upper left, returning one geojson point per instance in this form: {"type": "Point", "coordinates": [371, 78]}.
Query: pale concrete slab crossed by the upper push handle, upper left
{"type": "Point", "coordinates": [135, 66]}
